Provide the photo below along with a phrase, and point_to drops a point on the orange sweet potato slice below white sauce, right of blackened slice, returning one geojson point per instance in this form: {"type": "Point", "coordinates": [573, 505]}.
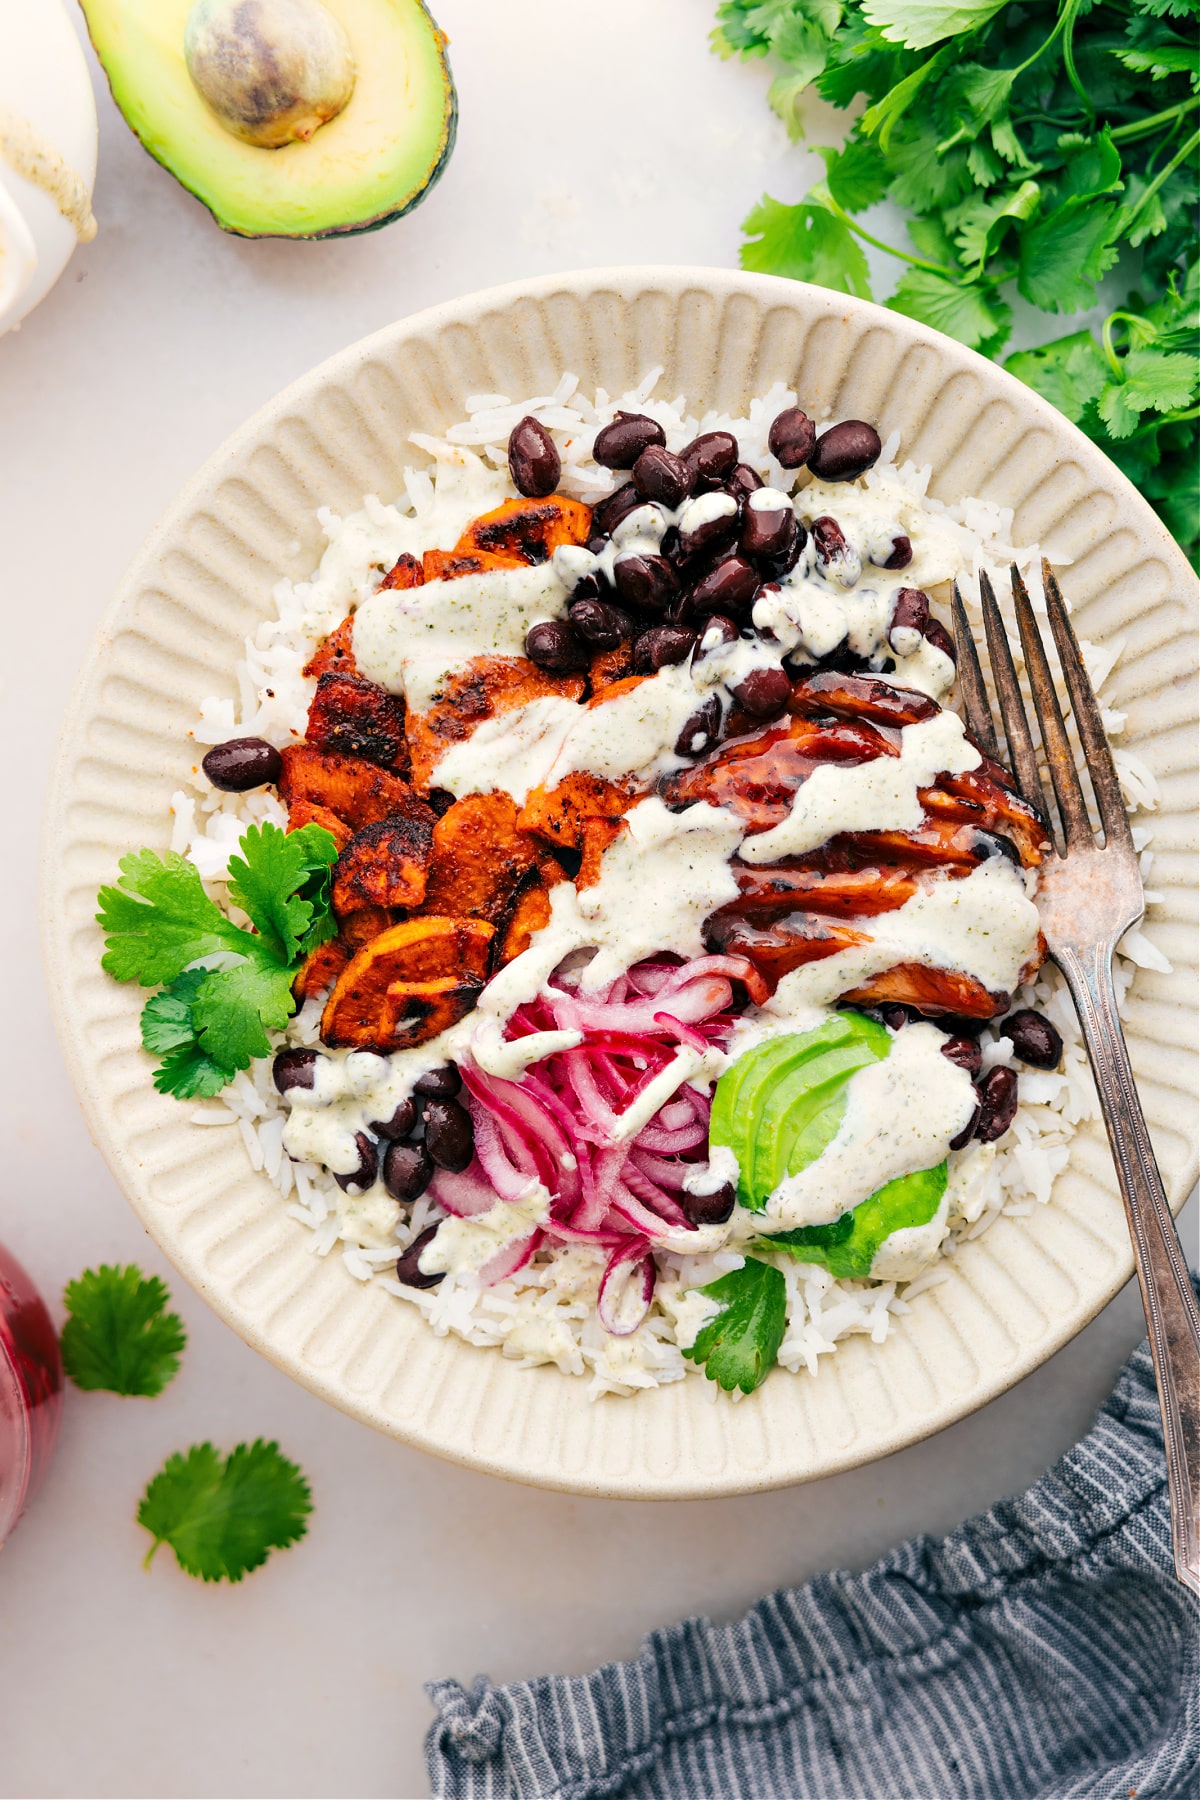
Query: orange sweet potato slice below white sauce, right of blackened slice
{"type": "Point", "coordinates": [479, 859]}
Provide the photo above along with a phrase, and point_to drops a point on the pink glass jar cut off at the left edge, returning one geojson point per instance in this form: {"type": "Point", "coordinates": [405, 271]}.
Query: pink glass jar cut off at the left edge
{"type": "Point", "coordinates": [31, 1390]}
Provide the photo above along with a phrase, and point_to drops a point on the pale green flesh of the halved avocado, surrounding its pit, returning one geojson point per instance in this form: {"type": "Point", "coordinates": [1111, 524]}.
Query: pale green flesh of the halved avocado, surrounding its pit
{"type": "Point", "coordinates": [363, 170]}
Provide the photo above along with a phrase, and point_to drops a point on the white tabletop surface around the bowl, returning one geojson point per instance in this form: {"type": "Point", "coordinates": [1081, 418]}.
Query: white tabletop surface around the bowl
{"type": "Point", "coordinates": [159, 341]}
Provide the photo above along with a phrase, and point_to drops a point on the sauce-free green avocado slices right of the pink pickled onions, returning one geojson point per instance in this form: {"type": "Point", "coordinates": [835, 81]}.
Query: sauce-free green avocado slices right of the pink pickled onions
{"type": "Point", "coordinates": [780, 1104]}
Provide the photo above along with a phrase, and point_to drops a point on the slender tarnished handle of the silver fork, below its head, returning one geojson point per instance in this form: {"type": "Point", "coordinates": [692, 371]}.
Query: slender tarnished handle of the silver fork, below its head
{"type": "Point", "coordinates": [1169, 1297]}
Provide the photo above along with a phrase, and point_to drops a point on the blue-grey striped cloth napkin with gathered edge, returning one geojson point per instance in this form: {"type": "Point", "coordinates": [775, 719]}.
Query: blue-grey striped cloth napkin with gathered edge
{"type": "Point", "coordinates": [1044, 1651]}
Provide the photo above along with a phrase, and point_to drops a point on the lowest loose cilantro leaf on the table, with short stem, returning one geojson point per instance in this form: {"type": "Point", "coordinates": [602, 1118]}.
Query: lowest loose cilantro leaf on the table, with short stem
{"type": "Point", "coordinates": [226, 1515]}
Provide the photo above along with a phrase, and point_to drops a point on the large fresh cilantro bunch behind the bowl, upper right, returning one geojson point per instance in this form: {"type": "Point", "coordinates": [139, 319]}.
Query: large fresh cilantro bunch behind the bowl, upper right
{"type": "Point", "coordinates": [1032, 145]}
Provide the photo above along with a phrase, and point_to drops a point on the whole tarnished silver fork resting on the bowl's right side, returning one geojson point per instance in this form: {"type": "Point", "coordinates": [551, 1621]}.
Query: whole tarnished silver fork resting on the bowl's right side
{"type": "Point", "coordinates": [1089, 895]}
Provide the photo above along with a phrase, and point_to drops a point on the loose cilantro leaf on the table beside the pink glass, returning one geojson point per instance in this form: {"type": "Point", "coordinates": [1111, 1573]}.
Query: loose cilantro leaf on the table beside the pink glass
{"type": "Point", "coordinates": [120, 1338]}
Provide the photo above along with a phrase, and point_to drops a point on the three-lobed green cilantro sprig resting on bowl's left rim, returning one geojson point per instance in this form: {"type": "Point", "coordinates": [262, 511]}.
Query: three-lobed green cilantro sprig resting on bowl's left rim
{"type": "Point", "coordinates": [224, 987]}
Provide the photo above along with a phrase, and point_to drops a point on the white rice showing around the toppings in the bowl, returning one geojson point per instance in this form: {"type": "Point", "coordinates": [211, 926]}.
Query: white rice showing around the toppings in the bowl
{"type": "Point", "coordinates": [548, 1311]}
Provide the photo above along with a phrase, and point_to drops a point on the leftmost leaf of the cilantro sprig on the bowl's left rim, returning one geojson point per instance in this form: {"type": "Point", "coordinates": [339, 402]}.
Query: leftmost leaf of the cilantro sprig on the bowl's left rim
{"type": "Point", "coordinates": [159, 919]}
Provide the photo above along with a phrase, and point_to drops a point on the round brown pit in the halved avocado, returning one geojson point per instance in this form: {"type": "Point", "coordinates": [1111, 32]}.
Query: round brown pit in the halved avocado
{"type": "Point", "coordinates": [271, 71]}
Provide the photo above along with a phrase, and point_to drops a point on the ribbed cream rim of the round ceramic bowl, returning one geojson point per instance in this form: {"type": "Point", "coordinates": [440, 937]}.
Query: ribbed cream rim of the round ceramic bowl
{"type": "Point", "coordinates": [174, 636]}
